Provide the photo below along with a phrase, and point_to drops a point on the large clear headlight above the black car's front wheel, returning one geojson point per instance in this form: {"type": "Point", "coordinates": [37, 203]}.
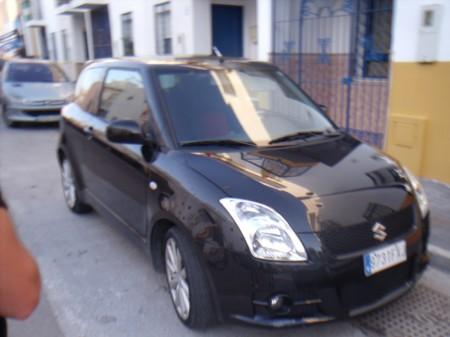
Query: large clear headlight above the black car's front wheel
{"type": "Point", "coordinates": [268, 235]}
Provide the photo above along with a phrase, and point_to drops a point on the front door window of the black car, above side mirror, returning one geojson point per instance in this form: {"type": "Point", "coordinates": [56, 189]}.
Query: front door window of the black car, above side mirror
{"type": "Point", "coordinates": [123, 96]}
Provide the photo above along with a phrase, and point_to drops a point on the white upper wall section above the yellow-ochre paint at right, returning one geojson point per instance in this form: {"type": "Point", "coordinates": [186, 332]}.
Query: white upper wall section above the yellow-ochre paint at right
{"type": "Point", "coordinates": [406, 30]}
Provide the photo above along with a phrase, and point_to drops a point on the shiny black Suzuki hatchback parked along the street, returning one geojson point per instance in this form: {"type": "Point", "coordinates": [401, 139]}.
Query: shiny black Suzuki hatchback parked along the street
{"type": "Point", "coordinates": [249, 198]}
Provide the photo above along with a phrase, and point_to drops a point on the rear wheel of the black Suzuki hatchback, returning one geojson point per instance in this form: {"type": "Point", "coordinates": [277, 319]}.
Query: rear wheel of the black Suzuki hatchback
{"type": "Point", "coordinates": [70, 189]}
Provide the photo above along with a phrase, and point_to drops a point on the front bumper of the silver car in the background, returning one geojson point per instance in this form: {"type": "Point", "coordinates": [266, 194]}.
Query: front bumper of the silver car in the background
{"type": "Point", "coordinates": [33, 114]}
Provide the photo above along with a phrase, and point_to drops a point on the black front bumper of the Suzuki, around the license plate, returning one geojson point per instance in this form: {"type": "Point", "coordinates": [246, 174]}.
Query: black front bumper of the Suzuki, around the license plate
{"type": "Point", "coordinates": [335, 288]}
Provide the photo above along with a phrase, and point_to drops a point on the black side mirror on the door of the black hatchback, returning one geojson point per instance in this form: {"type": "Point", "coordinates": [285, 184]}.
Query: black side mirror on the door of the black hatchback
{"type": "Point", "coordinates": [125, 131]}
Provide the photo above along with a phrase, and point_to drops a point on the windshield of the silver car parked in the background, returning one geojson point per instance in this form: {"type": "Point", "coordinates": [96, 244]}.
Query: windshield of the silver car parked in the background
{"type": "Point", "coordinates": [35, 72]}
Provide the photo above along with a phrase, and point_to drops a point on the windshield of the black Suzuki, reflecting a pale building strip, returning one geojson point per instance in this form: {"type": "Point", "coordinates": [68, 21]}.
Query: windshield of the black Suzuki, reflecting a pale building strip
{"type": "Point", "coordinates": [244, 104]}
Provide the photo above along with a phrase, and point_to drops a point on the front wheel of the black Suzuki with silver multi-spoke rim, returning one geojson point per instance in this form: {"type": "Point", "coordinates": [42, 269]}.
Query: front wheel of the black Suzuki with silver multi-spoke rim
{"type": "Point", "coordinates": [179, 247]}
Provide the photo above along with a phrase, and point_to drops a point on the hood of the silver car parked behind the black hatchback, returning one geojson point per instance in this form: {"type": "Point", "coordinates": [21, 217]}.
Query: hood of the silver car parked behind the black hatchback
{"type": "Point", "coordinates": [39, 91]}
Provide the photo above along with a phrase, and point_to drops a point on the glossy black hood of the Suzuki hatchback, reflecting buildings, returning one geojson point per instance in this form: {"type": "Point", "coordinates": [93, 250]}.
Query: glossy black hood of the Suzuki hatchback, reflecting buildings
{"type": "Point", "coordinates": [309, 180]}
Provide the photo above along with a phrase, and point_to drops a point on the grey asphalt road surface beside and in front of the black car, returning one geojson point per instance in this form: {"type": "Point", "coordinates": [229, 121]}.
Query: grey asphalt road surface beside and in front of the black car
{"type": "Point", "coordinates": [98, 283]}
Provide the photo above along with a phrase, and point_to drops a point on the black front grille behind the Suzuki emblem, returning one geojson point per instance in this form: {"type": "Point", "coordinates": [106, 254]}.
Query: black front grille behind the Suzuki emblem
{"type": "Point", "coordinates": [341, 240]}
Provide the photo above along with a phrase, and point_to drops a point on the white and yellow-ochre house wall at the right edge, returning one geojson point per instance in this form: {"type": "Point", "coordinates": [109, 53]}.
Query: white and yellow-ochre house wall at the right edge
{"type": "Point", "coordinates": [419, 112]}
